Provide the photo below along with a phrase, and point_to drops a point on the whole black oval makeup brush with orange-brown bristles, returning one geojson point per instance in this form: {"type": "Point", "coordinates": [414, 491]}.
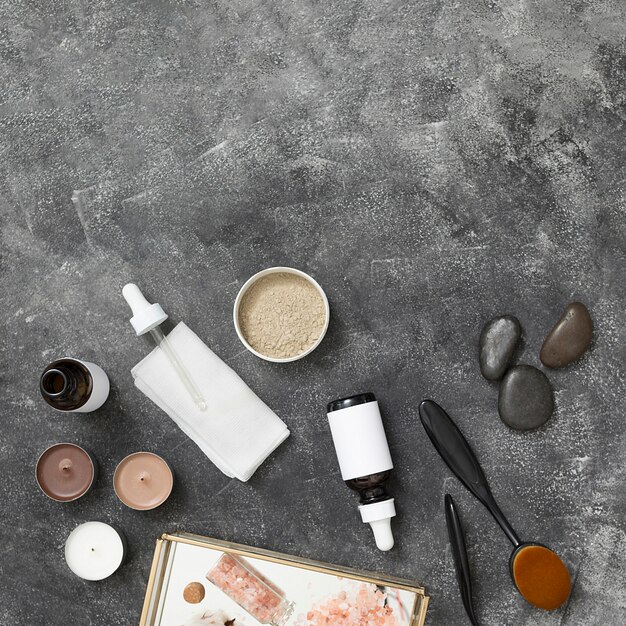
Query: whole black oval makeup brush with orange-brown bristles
{"type": "Point", "coordinates": [538, 573]}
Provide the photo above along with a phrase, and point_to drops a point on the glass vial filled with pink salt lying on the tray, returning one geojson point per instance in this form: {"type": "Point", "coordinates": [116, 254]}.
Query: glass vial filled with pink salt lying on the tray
{"type": "Point", "coordinates": [249, 588]}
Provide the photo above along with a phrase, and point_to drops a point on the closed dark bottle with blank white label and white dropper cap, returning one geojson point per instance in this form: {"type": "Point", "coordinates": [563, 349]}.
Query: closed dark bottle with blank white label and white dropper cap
{"type": "Point", "coordinates": [364, 459]}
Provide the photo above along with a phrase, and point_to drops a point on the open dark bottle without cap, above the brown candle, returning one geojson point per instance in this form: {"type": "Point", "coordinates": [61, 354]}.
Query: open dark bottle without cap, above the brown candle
{"type": "Point", "coordinates": [73, 385]}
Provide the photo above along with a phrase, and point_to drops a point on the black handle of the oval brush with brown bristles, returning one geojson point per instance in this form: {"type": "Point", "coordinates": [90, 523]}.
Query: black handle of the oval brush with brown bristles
{"type": "Point", "coordinates": [459, 457]}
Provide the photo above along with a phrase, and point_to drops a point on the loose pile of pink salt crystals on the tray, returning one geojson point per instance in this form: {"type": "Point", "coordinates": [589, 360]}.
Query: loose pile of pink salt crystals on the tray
{"type": "Point", "coordinates": [366, 607]}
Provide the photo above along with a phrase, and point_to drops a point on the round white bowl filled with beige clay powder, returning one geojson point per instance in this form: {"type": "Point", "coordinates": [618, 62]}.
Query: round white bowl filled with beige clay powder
{"type": "Point", "coordinates": [282, 315]}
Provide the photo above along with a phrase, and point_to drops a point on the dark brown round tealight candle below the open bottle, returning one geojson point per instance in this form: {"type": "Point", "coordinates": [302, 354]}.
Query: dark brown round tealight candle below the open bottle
{"type": "Point", "coordinates": [65, 472]}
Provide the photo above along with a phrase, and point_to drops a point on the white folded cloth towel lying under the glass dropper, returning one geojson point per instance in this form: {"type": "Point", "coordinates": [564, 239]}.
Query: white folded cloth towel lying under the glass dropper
{"type": "Point", "coordinates": [238, 431]}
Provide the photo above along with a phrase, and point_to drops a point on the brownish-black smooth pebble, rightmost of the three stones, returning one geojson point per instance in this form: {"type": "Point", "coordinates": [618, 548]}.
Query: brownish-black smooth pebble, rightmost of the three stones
{"type": "Point", "coordinates": [570, 337]}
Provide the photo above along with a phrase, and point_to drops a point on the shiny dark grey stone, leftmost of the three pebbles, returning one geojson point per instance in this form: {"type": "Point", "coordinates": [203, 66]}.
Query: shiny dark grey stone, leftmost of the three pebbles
{"type": "Point", "coordinates": [498, 341]}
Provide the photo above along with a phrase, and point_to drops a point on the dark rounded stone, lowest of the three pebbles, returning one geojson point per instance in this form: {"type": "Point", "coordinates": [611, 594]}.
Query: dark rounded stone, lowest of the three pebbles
{"type": "Point", "coordinates": [526, 398]}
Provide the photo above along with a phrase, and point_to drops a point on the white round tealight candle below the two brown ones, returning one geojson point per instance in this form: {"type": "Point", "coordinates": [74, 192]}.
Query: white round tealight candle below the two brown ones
{"type": "Point", "coordinates": [94, 550]}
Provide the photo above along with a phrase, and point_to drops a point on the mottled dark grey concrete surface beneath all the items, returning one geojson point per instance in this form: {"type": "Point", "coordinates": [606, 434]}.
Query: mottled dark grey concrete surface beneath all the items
{"type": "Point", "coordinates": [431, 163]}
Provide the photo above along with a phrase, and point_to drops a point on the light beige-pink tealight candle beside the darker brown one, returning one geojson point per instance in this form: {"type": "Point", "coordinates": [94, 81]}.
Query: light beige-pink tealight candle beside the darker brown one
{"type": "Point", "coordinates": [143, 481]}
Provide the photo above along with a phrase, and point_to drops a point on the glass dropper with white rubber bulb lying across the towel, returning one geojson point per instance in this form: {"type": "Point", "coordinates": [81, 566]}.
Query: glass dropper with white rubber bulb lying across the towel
{"type": "Point", "coordinates": [148, 318]}
